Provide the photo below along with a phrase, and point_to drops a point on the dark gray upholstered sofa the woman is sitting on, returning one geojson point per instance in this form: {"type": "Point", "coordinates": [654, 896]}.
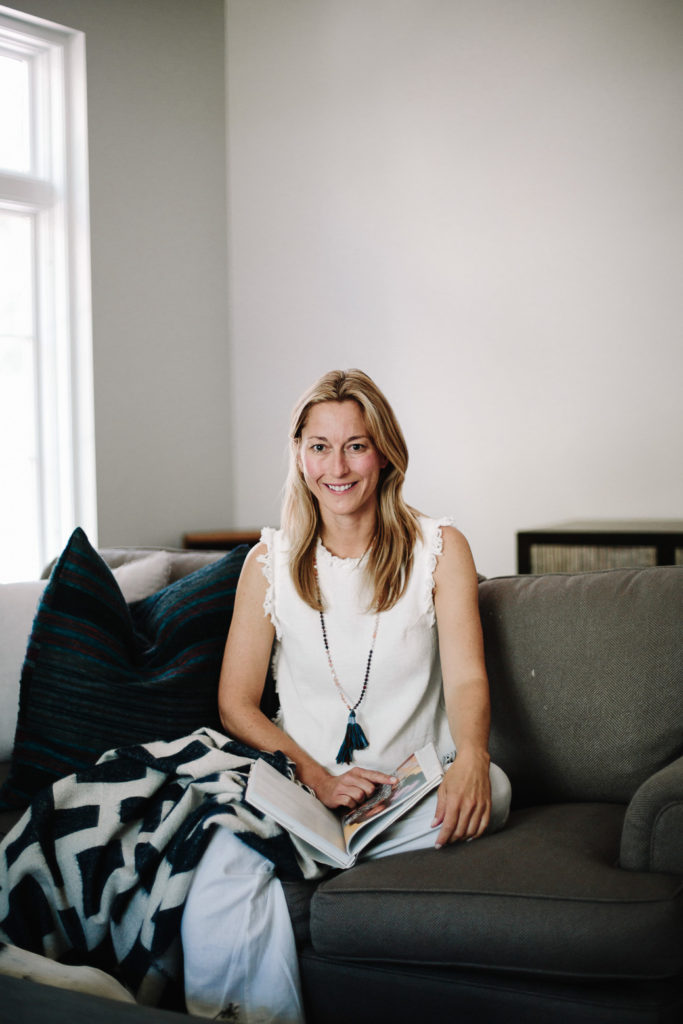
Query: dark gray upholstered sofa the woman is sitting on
{"type": "Point", "coordinates": [575, 912]}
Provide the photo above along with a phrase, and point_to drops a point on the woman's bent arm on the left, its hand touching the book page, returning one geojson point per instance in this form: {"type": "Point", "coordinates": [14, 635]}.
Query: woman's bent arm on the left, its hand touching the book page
{"type": "Point", "coordinates": [242, 680]}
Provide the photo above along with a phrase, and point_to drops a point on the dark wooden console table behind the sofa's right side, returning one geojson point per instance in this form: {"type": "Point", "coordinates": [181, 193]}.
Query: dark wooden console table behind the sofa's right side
{"type": "Point", "coordinates": [601, 544]}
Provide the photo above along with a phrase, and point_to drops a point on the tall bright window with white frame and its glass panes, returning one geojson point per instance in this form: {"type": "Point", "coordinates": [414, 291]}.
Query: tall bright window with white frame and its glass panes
{"type": "Point", "coordinates": [47, 416]}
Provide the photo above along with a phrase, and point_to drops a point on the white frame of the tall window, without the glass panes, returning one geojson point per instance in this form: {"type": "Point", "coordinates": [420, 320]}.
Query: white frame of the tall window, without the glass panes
{"type": "Point", "coordinates": [56, 194]}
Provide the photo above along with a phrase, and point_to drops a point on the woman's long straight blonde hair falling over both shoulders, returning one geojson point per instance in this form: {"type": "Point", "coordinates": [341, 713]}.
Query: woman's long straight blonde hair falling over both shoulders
{"type": "Point", "coordinates": [391, 554]}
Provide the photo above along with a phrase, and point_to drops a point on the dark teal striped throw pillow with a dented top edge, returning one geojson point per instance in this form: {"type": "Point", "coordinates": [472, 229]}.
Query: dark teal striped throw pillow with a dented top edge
{"type": "Point", "coordinates": [101, 674]}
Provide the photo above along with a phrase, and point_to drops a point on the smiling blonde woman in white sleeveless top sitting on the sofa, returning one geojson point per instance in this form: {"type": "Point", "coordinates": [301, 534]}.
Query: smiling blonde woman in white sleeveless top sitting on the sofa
{"type": "Point", "coordinates": [378, 650]}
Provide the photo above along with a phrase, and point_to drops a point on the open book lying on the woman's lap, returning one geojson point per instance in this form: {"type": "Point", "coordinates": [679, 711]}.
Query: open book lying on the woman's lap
{"type": "Point", "coordinates": [327, 836]}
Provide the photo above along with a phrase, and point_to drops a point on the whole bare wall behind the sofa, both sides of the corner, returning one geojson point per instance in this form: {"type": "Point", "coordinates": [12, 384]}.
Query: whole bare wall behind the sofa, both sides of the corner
{"type": "Point", "coordinates": [479, 201]}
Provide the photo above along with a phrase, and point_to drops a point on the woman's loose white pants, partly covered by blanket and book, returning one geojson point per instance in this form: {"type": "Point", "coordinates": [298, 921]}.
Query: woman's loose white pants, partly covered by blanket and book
{"type": "Point", "coordinates": [237, 934]}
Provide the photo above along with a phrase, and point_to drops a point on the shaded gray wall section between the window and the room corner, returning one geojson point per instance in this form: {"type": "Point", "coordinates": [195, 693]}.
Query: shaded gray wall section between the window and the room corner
{"type": "Point", "coordinates": [157, 151]}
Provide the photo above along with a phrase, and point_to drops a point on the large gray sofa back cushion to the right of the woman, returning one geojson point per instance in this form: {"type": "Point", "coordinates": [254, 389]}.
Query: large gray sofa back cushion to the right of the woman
{"type": "Point", "coordinates": [586, 674]}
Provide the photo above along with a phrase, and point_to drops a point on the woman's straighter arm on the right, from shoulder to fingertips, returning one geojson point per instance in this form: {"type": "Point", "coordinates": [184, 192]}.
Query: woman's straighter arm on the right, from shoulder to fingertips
{"type": "Point", "coordinates": [463, 807]}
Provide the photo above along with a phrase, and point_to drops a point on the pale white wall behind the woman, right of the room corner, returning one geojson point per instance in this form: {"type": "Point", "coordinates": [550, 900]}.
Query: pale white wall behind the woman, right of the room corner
{"type": "Point", "coordinates": [479, 202]}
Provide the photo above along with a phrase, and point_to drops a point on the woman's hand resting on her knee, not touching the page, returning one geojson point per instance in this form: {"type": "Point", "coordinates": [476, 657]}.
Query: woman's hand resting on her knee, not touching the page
{"type": "Point", "coordinates": [463, 805]}
